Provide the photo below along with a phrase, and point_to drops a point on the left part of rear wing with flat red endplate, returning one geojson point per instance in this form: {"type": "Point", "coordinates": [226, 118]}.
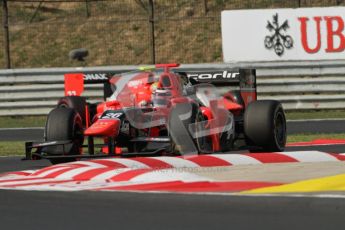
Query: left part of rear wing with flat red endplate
{"type": "Point", "coordinates": [74, 83]}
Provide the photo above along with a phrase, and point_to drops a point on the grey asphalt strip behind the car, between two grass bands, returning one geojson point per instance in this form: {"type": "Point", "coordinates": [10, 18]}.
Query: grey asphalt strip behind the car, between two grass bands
{"type": "Point", "coordinates": [293, 127]}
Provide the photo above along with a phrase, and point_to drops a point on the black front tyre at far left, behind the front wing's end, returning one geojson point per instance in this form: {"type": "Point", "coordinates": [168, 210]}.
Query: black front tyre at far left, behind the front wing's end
{"type": "Point", "coordinates": [64, 124]}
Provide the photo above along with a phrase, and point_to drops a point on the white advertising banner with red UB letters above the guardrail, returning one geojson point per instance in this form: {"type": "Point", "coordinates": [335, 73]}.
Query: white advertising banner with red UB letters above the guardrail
{"type": "Point", "coordinates": [283, 34]}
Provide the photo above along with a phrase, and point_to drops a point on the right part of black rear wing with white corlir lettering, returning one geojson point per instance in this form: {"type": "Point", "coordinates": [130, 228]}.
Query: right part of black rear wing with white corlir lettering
{"type": "Point", "coordinates": [226, 80]}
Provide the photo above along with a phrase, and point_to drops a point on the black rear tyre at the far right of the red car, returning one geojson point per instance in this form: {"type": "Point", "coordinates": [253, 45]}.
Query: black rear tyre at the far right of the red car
{"type": "Point", "coordinates": [265, 125]}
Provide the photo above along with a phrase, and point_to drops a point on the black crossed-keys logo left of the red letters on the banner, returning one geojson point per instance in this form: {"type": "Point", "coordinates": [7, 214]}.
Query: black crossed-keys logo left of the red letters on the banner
{"type": "Point", "coordinates": [278, 40]}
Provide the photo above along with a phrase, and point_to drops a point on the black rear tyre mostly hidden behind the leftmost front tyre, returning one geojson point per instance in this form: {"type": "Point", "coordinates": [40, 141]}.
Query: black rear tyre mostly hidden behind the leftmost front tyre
{"type": "Point", "coordinates": [74, 102]}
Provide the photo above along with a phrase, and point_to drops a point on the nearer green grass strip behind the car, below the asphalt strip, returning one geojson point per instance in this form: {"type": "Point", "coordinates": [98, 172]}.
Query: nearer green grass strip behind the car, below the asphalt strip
{"type": "Point", "coordinates": [16, 148]}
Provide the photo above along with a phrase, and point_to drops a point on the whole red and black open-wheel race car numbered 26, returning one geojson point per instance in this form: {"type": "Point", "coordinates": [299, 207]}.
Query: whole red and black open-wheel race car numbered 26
{"type": "Point", "coordinates": [161, 110]}
